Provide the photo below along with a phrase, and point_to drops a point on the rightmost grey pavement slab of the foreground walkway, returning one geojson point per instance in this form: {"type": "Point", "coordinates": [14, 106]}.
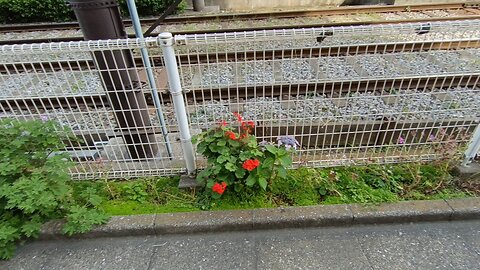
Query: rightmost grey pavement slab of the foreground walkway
{"type": "Point", "coordinates": [419, 246]}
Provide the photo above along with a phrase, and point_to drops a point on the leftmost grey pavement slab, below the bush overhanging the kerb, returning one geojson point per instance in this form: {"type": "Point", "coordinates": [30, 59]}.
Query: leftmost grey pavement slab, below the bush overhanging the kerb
{"type": "Point", "coordinates": [72, 254]}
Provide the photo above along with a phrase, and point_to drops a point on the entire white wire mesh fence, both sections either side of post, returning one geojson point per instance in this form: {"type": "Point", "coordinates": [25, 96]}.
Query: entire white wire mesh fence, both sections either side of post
{"type": "Point", "coordinates": [349, 95]}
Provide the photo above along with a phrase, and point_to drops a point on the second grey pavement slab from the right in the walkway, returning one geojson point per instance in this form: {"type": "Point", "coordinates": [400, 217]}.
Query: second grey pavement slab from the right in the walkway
{"type": "Point", "coordinates": [327, 248]}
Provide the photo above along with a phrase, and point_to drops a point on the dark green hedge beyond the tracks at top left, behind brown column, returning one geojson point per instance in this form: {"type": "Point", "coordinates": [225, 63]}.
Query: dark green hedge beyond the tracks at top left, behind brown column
{"type": "Point", "coordinates": [28, 11]}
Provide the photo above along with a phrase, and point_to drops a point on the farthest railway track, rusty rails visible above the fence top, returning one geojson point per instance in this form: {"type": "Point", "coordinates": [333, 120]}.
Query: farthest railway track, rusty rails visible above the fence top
{"type": "Point", "coordinates": [461, 12]}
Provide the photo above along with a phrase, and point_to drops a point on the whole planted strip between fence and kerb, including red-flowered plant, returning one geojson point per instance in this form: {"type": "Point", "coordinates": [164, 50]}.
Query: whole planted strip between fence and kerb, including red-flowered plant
{"type": "Point", "coordinates": [243, 173]}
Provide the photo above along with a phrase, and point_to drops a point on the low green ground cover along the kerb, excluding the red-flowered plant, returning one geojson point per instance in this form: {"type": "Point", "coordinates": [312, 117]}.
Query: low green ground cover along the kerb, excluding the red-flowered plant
{"type": "Point", "coordinates": [370, 184]}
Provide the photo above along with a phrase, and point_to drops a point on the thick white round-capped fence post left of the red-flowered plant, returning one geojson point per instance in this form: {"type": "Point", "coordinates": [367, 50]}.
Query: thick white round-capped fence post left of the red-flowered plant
{"type": "Point", "coordinates": [166, 41]}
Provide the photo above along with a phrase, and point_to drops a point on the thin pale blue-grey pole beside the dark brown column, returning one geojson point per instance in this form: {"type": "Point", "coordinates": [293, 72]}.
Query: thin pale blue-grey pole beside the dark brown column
{"type": "Point", "coordinates": [132, 8]}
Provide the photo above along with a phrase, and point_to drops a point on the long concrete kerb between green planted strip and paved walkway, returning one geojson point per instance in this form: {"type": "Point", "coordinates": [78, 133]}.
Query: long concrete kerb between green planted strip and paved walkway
{"type": "Point", "coordinates": [278, 218]}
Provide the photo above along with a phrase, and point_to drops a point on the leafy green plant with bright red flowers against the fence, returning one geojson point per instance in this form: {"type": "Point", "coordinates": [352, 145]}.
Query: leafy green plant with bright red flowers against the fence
{"type": "Point", "coordinates": [237, 162]}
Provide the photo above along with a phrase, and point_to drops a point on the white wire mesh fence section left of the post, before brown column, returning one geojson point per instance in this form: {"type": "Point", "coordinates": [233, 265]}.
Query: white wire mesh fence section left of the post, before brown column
{"type": "Point", "coordinates": [99, 90]}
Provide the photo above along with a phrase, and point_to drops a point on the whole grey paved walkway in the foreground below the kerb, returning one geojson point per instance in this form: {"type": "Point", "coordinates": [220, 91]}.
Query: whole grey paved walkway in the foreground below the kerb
{"type": "Point", "coordinates": [437, 245]}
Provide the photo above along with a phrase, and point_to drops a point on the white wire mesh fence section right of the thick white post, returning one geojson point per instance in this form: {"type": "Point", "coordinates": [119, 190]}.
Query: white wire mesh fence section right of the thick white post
{"type": "Point", "coordinates": [349, 95]}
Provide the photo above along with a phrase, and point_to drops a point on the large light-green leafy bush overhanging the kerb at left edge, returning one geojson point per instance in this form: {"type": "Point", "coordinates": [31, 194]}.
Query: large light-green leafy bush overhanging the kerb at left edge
{"type": "Point", "coordinates": [35, 185]}
